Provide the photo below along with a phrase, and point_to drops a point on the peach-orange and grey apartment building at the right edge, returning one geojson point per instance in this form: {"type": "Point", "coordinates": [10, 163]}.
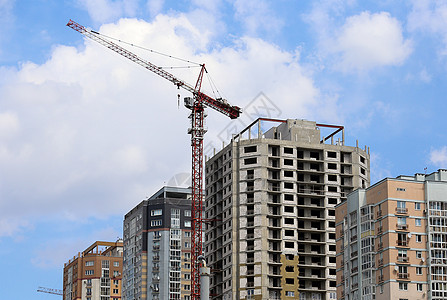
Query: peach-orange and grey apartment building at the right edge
{"type": "Point", "coordinates": [392, 240]}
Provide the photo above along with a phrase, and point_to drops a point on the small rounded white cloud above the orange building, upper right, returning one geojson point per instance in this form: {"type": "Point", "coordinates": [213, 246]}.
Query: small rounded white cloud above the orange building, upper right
{"type": "Point", "coordinates": [368, 40]}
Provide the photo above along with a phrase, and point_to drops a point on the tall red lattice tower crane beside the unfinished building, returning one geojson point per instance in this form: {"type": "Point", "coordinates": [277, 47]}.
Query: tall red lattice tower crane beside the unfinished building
{"type": "Point", "coordinates": [196, 104]}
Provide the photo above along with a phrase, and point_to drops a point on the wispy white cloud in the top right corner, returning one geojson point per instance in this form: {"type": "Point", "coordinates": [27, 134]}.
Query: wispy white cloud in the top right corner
{"type": "Point", "coordinates": [430, 17]}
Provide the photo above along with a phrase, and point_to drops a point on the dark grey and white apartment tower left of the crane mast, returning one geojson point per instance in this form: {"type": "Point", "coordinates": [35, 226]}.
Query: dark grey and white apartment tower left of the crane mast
{"type": "Point", "coordinates": [157, 247]}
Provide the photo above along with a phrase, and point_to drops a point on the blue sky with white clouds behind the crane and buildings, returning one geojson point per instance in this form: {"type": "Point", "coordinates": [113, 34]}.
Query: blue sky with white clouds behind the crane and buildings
{"type": "Point", "coordinates": [85, 134]}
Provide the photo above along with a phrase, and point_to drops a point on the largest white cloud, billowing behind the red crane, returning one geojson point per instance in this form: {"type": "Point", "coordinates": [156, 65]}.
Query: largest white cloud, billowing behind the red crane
{"type": "Point", "coordinates": [94, 129]}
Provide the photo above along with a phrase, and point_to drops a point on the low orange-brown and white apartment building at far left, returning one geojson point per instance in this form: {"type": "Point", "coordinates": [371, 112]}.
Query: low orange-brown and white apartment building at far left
{"type": "Point", "coordinates": [95, 273]}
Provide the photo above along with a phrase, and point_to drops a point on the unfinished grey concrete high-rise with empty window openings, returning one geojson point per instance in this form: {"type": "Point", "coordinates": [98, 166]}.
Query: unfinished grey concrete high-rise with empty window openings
{"type": "Point", "coordinates": [272, 200]}
